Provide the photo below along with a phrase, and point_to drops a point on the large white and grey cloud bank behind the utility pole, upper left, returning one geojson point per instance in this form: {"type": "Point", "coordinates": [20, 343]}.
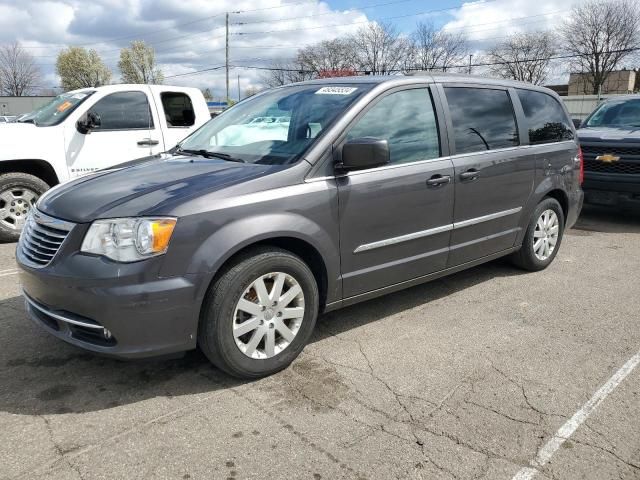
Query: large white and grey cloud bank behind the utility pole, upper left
{"type": "Point", "coordinates": [188, 35]}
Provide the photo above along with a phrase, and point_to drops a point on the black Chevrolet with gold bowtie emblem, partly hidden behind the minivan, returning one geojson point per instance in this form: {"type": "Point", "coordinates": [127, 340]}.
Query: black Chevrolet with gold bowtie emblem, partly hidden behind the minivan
{"type": "Point", "coordinates": [610, 139]}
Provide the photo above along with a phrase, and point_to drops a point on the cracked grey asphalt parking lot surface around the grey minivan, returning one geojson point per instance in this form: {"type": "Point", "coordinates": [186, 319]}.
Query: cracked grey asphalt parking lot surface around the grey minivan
{"type": "Point", "coordinates": [465, 377]}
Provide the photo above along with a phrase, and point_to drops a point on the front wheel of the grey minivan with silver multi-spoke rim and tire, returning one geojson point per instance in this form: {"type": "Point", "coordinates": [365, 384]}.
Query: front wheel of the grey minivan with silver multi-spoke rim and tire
{"type": "Point", "coordinates": [259, 314]}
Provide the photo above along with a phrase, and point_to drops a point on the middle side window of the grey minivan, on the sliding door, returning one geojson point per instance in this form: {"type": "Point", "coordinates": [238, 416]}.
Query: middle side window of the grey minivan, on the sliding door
{"type": "Point", "coordinates": [483, 119]}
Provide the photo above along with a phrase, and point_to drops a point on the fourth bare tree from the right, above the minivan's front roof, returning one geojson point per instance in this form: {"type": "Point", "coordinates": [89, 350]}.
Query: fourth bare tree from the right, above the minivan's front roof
{"type": "Point", "coordinates": [380, 49]}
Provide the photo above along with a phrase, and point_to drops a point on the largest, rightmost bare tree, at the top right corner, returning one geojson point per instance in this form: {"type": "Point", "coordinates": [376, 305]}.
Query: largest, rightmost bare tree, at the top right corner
{"type": "Point", "coordinates": [600, 34]}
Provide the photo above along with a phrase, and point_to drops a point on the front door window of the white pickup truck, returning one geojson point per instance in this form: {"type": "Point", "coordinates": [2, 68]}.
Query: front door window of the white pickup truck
{"type": "Point", "coordinates": [123, 111]}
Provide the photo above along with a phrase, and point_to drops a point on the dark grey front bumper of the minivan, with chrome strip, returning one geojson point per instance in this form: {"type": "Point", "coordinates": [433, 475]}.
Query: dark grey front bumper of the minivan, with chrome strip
{"type": "Point", "coordinates": [125, 316]}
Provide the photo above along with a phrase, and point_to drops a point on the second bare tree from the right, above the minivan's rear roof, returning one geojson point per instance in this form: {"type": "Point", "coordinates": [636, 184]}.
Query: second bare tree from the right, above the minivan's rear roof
{"type": "Point", "coordinates": [523, 56]}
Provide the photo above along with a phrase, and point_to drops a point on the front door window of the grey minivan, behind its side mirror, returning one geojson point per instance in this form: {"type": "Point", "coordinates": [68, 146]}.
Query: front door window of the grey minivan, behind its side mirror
{"type": "Point", "coordinates": [407, 121]}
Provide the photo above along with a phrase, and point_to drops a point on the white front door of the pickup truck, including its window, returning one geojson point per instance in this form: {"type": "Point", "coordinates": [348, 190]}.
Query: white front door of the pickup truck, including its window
{"type": "Point", "coordinates": [128, 130]}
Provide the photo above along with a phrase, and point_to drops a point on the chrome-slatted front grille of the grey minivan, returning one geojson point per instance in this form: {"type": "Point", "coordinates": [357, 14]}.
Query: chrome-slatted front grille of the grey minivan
{"type": "Point", "coordinates": [42, 237]}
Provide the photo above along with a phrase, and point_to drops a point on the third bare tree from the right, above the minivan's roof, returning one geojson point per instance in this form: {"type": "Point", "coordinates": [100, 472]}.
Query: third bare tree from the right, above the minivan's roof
{"type": "Point", "coordinates": [433, 49]}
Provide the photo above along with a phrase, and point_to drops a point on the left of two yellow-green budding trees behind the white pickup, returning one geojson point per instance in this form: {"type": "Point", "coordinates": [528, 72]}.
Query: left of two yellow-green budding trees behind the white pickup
{"type": "Point", "coordinates": [80, 68]}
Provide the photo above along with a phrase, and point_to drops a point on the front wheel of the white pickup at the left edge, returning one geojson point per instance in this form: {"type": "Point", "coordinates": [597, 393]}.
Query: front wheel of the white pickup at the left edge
{"type": "Point", "coordinates": [18, 194]}
